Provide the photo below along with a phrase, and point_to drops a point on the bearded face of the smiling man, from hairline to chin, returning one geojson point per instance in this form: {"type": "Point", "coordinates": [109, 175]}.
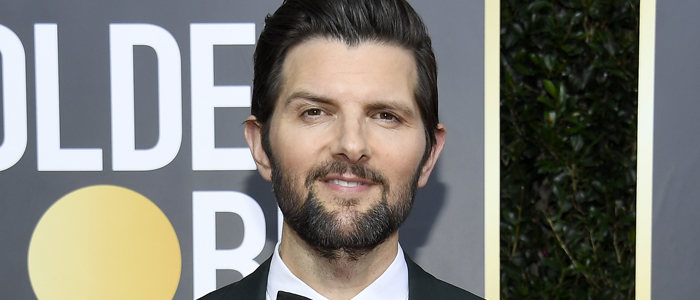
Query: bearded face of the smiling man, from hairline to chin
{"type": "Point", "coordinates": [347, 140]}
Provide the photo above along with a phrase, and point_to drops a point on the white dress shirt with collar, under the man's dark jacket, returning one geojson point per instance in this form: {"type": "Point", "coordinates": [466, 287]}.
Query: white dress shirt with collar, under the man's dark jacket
{"type": "Point", "coordinates": [391, 285]}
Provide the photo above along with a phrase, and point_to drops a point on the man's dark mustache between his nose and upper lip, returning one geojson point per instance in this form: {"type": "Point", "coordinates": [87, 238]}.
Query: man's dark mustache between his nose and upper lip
{"type": "Point", "coordinates": [343, 167]}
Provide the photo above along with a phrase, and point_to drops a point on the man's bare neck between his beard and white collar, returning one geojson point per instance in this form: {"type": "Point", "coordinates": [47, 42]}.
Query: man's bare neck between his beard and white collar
{"type": "Point", "coordinates": [337, 278]}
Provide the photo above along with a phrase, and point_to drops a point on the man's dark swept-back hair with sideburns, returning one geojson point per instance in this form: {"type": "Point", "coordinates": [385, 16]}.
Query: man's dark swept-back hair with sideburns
{"type": "Point", "coordinates": [391, 22]}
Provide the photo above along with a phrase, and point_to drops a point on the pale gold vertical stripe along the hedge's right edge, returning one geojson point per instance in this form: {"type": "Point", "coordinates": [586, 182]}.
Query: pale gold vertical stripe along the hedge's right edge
{"type": "Point", "coordinates": [645, 148]}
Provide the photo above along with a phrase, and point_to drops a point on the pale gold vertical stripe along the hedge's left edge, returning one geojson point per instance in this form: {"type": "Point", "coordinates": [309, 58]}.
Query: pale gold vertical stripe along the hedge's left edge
{"type": "Point", "coordinates": [492, 19]}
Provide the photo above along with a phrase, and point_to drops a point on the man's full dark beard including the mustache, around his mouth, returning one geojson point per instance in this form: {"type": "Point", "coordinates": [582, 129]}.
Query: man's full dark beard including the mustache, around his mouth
{"type": "Point", "coordinates": [344, 233]}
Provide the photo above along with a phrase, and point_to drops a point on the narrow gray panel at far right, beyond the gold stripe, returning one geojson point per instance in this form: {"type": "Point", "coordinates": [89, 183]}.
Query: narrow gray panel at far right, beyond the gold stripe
{"type": "Point", "coordinates": [676, 226]}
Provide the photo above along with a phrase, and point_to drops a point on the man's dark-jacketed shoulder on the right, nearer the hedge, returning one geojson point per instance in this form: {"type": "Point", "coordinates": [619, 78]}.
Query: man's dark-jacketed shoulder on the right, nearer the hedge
{"type": "Point", "coordinates": [423, 285]}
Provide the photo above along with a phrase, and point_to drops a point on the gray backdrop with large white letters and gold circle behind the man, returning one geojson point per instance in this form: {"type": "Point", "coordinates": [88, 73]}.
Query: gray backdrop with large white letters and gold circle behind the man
{"type": "Point", "coordinates": [123, 170]}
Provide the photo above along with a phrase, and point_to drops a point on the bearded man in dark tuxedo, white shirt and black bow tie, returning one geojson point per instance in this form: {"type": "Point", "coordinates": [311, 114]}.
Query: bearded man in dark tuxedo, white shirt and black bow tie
{"type": "Point", "coordinates": [344, 123]}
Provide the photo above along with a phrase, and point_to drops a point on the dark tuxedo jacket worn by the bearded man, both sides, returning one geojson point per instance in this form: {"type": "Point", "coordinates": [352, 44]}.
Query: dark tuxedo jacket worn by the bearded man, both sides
{"type": "Point", "coordinates": [421, 286]}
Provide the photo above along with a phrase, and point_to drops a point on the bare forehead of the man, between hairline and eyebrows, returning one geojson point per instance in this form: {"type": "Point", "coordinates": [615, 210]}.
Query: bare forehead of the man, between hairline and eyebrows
{"type": "Point", "coordinates": [368, 71]}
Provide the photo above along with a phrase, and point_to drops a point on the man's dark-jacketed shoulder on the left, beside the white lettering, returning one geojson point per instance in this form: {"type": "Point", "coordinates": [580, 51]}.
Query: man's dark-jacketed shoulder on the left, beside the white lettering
{"type": "Point", "coordinates": [251, 287]}
